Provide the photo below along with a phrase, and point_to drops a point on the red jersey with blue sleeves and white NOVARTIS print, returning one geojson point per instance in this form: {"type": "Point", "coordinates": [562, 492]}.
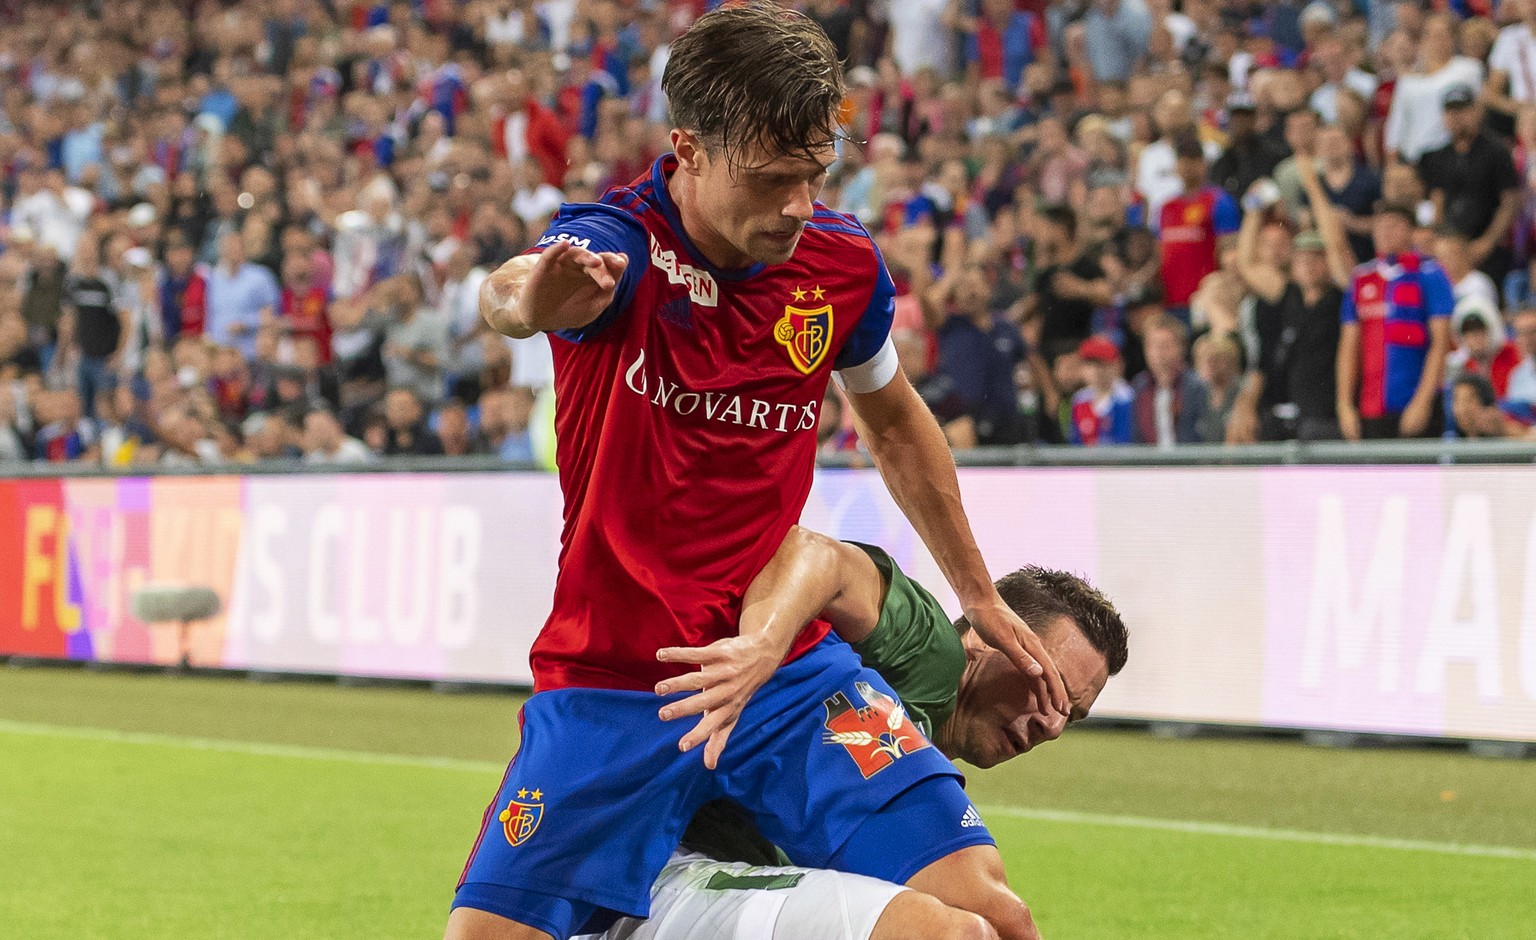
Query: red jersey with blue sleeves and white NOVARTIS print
{"type": "Point", "coordinates": [686, 425]}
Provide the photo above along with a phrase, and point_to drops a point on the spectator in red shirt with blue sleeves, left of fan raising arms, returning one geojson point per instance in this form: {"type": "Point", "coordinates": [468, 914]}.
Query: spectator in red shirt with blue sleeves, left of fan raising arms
{"type": "Point", "coordinates": [1193, 228]}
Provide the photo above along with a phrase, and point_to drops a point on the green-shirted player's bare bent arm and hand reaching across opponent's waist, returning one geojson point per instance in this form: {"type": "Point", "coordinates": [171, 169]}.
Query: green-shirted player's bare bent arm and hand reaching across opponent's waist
{"type": "Point", "coordinates": [812, 575]}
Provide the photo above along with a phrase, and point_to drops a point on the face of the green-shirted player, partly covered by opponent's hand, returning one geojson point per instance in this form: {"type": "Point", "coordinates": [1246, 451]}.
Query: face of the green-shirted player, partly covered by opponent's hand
{"type": "Point", "coordinates": [1001, 718]}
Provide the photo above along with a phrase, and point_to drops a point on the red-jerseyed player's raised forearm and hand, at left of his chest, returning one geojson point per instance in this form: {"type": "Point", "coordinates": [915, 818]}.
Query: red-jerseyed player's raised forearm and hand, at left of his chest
{"type": "Point", "coordinates": [563, 288]}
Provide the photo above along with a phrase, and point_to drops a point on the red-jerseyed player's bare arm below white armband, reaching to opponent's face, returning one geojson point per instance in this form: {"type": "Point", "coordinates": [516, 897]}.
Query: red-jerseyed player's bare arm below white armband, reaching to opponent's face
{"type": "Point", "coordinates": [915, 460]}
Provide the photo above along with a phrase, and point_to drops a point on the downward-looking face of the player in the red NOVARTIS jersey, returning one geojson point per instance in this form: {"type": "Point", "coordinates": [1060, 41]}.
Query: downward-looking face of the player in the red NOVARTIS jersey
{"type": "Point", "coordinates": [753, 213]}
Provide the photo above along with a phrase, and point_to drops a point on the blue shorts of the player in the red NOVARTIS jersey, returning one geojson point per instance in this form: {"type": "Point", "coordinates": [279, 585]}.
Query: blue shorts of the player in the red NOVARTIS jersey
{"type": "Point", "coordinates": [598, 795]}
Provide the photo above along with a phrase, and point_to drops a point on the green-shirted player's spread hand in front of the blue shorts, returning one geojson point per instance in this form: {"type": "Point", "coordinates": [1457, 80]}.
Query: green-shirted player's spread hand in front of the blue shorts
{"type": "Point", "coordinates": [730, 672]}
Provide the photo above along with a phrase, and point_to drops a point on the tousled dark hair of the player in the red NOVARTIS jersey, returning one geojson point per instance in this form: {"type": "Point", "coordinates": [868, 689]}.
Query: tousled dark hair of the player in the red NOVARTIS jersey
{"type": "Point", "coordinates": [756, 74]}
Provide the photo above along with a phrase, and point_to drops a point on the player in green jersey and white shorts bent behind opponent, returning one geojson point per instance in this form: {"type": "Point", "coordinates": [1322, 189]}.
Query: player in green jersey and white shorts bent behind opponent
{"type": "Point", "coordinates": [727, 881]}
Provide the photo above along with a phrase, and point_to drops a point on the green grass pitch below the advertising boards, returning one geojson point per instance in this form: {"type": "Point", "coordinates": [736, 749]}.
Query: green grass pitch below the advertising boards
{"type": "Point", "coordinates": [177, 807]}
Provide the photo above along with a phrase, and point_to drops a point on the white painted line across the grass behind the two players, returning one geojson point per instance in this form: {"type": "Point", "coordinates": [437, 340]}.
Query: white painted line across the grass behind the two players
{"type": "Point", "coordinates": [488, 767]}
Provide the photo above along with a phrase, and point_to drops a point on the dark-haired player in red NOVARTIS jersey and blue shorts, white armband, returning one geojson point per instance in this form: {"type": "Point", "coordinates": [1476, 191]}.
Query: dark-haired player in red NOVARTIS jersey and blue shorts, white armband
{"type": "Point", "coordinates": [697, 317]}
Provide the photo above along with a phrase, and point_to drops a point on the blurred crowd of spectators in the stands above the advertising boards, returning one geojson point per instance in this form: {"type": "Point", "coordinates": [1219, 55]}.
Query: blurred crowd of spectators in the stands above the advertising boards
{"type": "Point", "coordinates": [251, 231]}
